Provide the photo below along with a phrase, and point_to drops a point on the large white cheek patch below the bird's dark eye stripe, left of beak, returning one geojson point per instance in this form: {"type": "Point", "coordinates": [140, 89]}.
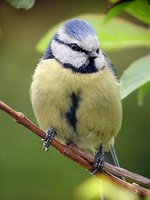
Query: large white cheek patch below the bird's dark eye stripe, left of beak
{"type": "Point", "coordinates": [66, 55]}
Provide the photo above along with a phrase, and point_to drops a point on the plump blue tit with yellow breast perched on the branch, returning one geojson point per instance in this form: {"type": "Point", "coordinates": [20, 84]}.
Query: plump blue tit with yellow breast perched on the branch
{"type": "Point", "coordinates": [75, 93]}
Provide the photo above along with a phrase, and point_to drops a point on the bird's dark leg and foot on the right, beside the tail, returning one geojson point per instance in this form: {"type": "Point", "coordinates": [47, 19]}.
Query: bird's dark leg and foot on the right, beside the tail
{"type": "Point", "coordinates": [98, 163]}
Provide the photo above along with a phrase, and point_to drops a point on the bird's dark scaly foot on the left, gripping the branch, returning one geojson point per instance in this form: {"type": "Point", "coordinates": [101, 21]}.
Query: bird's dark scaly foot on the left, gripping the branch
{"type": "Point", "coordinates": [50, 134]}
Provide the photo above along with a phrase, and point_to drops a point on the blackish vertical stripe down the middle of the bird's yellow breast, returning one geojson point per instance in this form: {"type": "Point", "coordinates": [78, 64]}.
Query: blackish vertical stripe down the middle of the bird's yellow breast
{"type": "Point", "coordinates": [71, 114]}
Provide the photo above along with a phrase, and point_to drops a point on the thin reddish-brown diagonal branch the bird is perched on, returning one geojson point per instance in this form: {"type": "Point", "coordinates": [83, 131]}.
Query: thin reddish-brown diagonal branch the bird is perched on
{"type": "Point", "coordinates": [83, 159]}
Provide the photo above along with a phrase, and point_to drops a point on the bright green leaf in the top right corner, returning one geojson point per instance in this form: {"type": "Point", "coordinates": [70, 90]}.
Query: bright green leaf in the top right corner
{"type": "Point", "coordinates": [140, 10]}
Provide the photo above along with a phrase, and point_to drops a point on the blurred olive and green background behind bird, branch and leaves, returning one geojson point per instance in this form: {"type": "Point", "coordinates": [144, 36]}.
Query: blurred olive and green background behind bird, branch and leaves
{"type": "Point", "coordinates": [26, 172]}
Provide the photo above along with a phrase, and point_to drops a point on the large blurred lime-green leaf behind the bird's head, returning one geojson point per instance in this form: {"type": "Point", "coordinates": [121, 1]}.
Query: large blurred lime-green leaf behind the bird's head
{"type": "Point", "coordinates": [113, 35]}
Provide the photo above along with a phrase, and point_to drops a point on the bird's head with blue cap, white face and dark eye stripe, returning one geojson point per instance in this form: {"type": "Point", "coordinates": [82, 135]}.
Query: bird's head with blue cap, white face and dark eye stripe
{"type": "Point", "coordinates": [76, 46]}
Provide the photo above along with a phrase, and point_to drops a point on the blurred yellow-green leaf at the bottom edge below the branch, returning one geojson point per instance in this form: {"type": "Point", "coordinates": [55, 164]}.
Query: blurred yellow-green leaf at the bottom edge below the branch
{"type": "Point", "coordinates": [101, 186]}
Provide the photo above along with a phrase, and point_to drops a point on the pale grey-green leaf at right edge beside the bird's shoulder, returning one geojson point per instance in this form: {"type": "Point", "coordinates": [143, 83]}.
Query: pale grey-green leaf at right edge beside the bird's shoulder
{"type": "Point", "coordinates": [137, 74]}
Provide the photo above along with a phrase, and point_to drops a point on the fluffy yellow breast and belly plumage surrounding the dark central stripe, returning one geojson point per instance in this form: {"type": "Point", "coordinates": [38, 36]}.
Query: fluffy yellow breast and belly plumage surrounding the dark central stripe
{"type": "Point", "coordinates": [99, 112]}
